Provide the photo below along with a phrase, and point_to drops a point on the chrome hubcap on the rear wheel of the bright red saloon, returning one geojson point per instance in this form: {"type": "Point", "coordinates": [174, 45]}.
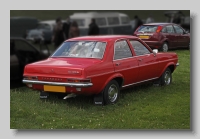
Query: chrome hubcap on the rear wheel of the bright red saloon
{"type": "Point", "coordinates": [112, 93]}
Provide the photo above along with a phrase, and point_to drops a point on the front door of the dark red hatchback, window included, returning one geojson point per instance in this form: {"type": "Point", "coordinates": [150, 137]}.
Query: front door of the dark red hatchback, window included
{"type": "Point", "coordinates": [183, 39]}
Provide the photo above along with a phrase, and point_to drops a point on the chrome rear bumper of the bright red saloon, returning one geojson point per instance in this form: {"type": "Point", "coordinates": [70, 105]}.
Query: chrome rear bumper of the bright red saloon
{"type": "Point", "coordinates": [57, 83]}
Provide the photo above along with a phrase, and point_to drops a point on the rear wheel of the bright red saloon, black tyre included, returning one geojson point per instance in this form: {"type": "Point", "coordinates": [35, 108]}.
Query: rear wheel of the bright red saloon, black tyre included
{"type": "Point", "coordinates": [111, 92]}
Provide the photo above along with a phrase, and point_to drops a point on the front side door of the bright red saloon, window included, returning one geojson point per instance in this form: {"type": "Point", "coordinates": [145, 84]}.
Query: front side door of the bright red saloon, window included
{"type": "Point", "coordinates": [148, 67]}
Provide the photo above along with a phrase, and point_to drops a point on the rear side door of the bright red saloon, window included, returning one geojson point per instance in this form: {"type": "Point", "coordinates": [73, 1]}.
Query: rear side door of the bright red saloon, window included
{"type": "Point", "coordinates": [124, 62]}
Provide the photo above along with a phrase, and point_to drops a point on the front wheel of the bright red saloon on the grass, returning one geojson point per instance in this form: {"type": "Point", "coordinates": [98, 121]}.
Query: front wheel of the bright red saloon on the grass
{"type": "Point", "coordinates": [166, 77]}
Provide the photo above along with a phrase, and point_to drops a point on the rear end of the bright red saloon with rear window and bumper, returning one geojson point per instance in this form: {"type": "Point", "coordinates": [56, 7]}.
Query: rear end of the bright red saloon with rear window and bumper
{"type": "Point", "coordinates": [65, 71]}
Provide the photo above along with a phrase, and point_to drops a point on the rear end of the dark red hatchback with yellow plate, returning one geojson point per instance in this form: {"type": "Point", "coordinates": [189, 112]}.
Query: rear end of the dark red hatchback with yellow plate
{"type": "Point", "coordinates": [151, 34]}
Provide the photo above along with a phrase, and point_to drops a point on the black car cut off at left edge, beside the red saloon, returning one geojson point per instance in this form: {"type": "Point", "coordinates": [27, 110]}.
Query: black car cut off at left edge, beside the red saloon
{"type": "Point", "coordinates": [21, 53]}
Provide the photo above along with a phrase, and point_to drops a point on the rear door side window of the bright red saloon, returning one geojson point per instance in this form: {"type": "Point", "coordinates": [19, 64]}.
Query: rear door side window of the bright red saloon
{"type": "Point", "coordinates": [122, 50]}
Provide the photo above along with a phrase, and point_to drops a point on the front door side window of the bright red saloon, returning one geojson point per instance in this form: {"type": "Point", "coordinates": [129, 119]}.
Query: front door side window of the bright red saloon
{"type": "Point", "coordinates": [139, 48]}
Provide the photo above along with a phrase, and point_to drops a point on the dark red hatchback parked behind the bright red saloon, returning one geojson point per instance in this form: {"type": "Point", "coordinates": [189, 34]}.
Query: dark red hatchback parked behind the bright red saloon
{"type": "Point", "coordinates": [163, 36]}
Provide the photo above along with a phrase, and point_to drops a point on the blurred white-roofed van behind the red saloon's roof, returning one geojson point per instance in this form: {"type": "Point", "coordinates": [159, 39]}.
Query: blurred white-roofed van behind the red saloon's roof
{"type": "Point", "coordinates": [108, 22]}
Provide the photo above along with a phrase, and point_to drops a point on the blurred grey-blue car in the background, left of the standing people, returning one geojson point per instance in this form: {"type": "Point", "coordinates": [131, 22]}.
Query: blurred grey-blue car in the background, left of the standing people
{"type": "Point", "coordinates": [42, 33]}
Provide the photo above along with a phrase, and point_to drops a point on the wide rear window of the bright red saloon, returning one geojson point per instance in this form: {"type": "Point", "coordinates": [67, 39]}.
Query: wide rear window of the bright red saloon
{"type": "Point", "coordinates": [81, 49]}
